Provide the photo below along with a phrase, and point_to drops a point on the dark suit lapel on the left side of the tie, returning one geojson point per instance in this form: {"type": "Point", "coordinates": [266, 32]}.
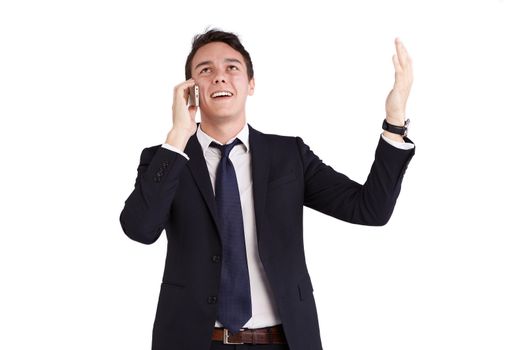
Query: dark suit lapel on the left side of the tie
{"type": "Point", "coordinates": [199, 170]}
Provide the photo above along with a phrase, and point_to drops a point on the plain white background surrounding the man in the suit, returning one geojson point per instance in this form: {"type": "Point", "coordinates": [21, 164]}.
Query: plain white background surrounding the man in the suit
{"type": "Point", "coordinates": [86, 85]}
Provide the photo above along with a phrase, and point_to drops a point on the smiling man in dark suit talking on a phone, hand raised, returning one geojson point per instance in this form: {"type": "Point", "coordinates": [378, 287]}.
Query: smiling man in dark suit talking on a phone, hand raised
{"type": "Point", "coordinates": [231, 198]}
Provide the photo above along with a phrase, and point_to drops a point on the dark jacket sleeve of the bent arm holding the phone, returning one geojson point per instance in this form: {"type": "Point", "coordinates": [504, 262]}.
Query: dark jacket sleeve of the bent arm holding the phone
{"type": "Point", "coordinates": [147, 208]}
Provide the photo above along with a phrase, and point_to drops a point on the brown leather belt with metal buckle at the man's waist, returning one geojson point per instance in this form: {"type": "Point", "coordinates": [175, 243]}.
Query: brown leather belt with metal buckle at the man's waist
{"type": "Point", "coordinates": [268, 335]}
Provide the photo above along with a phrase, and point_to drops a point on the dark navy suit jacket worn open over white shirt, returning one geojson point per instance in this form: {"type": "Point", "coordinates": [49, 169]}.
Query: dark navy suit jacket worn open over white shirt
{"type": "Point", "coordinates": [174, 194]}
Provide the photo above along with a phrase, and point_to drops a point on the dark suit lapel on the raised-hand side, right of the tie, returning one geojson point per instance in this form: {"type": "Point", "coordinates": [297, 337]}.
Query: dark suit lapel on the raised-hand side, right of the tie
{"type": "Point", "coordinates": [260, 170]}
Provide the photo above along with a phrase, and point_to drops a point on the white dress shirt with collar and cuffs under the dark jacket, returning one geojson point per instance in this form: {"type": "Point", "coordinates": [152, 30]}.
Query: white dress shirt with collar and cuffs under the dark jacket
{"type": "Point", "coordinates": [264, 310]}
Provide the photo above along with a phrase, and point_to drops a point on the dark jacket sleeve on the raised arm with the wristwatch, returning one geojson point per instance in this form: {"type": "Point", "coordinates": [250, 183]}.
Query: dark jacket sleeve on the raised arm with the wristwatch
{"type": "Point", "coordinates": [336, 195]}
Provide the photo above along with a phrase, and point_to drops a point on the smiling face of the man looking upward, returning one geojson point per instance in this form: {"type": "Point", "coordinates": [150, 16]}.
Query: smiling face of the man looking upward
{"type": "Point", "coordinates": [221, 74]}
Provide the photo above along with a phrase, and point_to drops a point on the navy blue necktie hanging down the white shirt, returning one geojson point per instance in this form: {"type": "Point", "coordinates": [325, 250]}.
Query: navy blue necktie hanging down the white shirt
{"type": "Point", "coordinates": [235, 305]}
